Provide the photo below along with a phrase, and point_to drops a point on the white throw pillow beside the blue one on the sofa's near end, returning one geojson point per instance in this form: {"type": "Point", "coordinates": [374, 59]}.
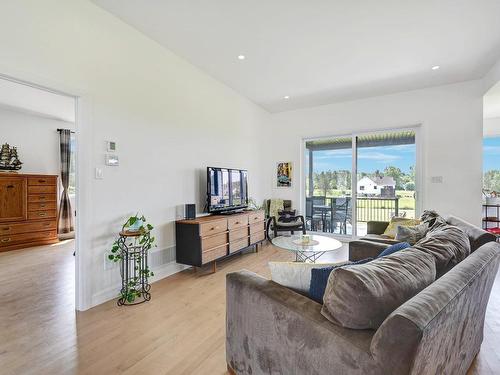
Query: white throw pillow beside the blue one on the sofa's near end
{"type": "Point", "coordinates": [296, 275]}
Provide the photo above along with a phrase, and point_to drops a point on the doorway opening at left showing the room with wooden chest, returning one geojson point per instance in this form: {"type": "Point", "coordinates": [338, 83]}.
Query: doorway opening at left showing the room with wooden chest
{"type": "Point", "coordinates": [38, 232]}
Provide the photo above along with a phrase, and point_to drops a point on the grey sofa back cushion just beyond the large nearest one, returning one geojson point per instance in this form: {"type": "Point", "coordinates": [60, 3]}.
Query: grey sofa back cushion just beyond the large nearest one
{"type": "Point", "coordinates": [448, 244]}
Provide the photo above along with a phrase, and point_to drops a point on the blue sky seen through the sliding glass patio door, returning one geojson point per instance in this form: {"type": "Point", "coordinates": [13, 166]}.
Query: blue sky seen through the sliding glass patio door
{"type": "Point", "coordinates": [369, 158]}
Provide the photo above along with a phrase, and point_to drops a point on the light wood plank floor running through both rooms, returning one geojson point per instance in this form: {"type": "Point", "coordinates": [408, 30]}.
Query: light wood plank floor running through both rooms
{"type": "Point", "coordinates": [180, 331]}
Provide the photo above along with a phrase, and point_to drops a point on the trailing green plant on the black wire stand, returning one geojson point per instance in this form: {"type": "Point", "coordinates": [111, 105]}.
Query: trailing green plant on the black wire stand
{"type": "Point", "coordinates": [144, 240]}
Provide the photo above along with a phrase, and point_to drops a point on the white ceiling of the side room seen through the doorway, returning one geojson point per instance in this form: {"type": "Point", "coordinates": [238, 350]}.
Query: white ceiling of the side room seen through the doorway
{"type": "Point", "coordinates": [24, 98]}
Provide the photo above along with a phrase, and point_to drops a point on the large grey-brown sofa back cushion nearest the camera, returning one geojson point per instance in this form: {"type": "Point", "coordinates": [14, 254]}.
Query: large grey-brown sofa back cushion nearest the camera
{"type": "Point", "coordinates": [362, 296]}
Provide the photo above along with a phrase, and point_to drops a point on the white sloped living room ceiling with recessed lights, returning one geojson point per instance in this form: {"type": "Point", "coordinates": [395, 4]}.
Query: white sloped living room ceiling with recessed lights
{"type": "Point", "coordinates": [319, 52]}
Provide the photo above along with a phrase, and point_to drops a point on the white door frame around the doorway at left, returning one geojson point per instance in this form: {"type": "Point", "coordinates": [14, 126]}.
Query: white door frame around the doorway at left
{"type": "Point", "coordinates": [83, 139]}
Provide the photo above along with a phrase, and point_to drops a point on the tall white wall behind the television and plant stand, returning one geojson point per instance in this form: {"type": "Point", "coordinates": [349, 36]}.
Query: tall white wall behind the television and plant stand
{"type": "Point", "coordinates": [168, 118]}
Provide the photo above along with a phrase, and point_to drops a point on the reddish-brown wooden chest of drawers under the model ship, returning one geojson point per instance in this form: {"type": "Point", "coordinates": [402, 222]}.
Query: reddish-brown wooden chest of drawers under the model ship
{"type": "Point", "coordinates": [28, 210]}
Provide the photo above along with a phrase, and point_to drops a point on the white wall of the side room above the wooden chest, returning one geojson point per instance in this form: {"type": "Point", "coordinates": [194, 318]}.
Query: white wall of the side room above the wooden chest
{"type": "Point", "coordinates": [36, 138]}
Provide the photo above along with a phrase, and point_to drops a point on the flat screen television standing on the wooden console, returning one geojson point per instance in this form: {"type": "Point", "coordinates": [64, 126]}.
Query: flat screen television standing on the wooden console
{"type": "Point", "coordinates": [227, 189]}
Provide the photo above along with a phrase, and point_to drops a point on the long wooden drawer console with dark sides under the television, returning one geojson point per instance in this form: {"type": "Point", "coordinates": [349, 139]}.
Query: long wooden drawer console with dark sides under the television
{"type": "Point", "coordinates": [210, 238]}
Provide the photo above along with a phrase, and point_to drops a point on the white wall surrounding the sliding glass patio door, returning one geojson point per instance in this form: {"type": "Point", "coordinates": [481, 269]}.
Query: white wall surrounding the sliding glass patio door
{"type": "Point", "coordinates": [451, 139]}
